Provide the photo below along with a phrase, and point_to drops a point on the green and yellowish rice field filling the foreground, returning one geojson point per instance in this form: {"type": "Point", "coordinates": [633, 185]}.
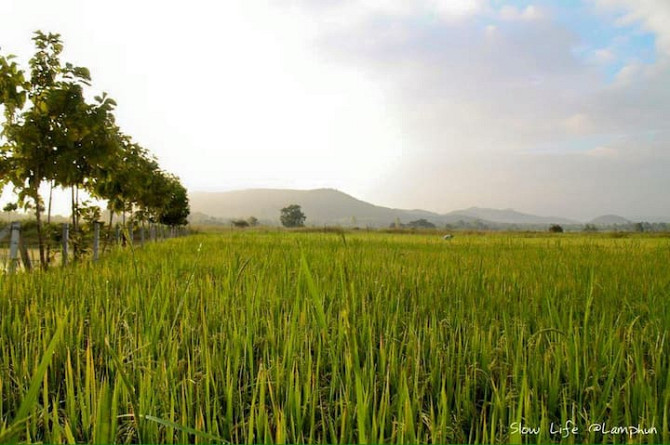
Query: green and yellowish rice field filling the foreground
{"type": "Point", "coordinates": [343, 338]}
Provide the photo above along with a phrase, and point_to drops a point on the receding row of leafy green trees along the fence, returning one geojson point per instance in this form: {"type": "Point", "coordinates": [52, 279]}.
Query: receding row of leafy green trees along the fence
{"type": "Point", "coordinates": [52, 135]}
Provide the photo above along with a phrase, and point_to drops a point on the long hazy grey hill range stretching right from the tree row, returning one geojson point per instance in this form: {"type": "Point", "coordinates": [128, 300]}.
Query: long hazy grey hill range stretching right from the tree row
{"type": "Point", "coordinates": [332, 207]}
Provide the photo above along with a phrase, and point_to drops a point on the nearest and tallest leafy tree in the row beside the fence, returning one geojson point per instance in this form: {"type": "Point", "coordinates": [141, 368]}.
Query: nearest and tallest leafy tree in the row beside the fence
{"type": "Point", "coordinates": [40, 137]}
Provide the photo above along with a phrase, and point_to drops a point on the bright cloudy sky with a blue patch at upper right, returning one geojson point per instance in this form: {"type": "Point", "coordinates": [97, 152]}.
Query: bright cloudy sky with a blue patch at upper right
{"type": "Point", "coordinates": [548, 107]}
